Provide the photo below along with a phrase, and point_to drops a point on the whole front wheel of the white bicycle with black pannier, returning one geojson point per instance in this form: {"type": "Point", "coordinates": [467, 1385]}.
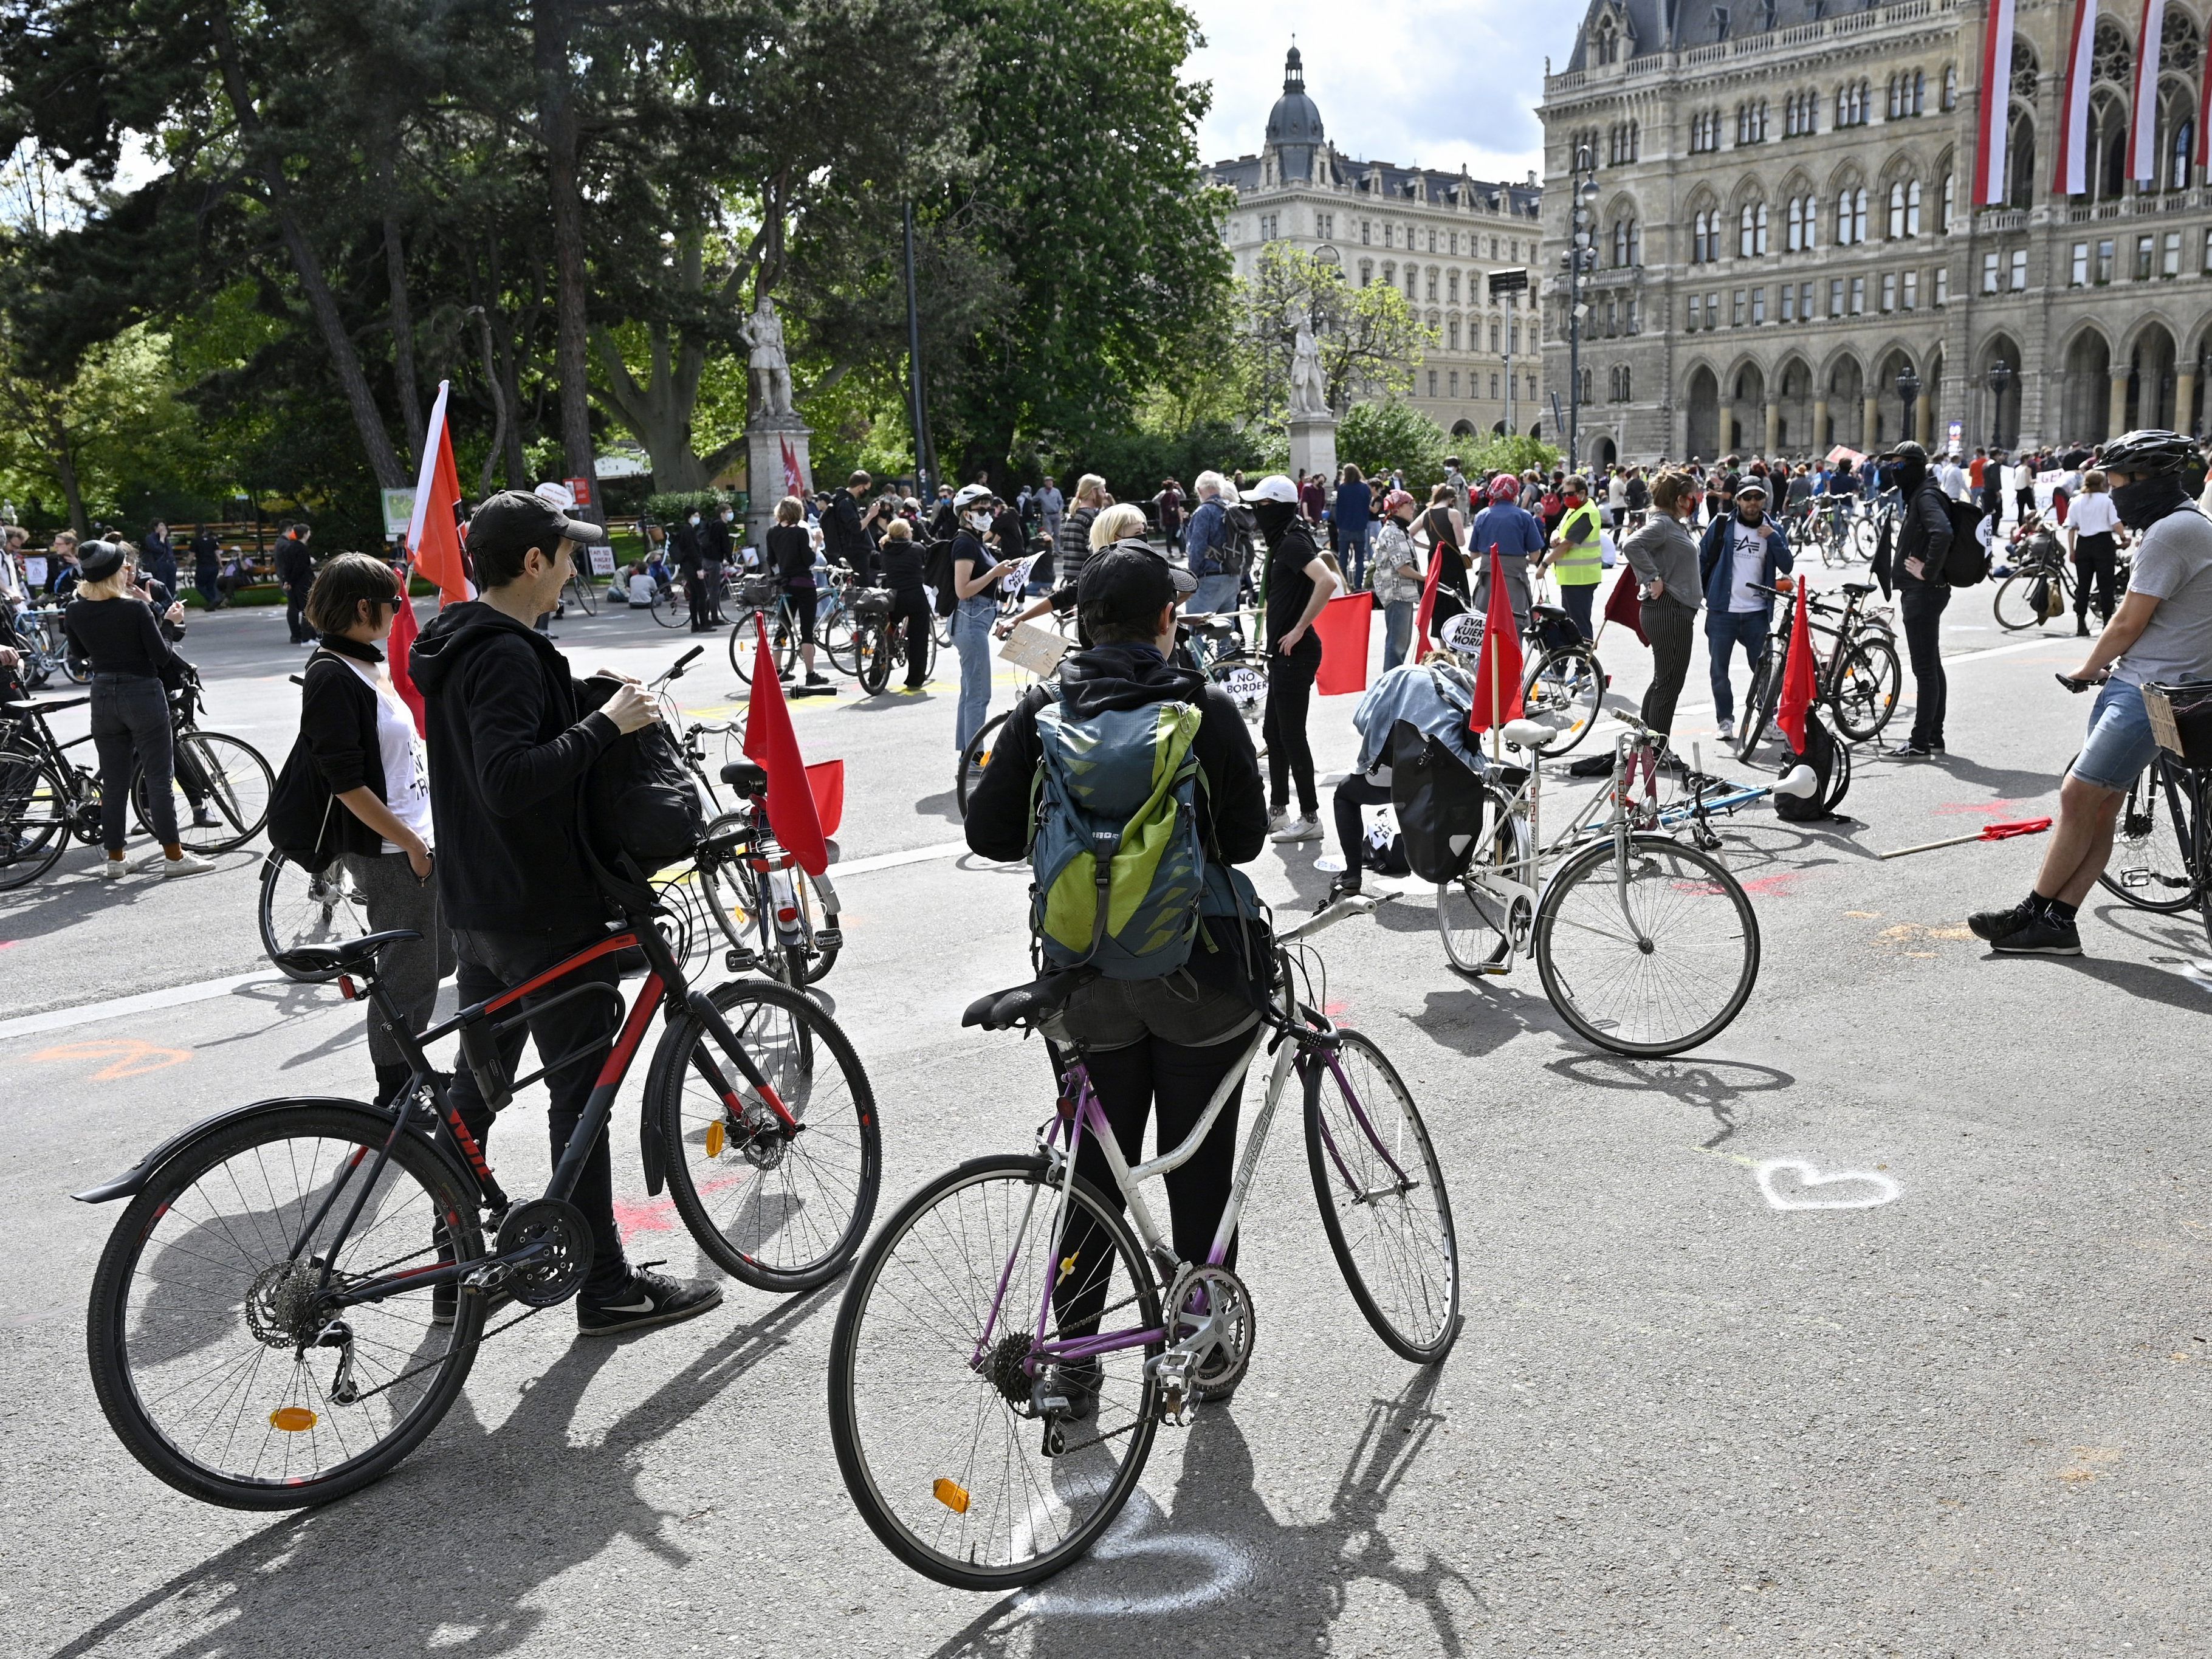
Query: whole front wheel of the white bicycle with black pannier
{"type": "Point", "coordinates": [1647, 950]}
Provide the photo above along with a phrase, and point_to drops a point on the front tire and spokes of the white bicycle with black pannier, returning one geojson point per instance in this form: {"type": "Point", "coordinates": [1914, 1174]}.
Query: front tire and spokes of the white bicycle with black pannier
{"type": "Point", "coordinates": [1687, 873]}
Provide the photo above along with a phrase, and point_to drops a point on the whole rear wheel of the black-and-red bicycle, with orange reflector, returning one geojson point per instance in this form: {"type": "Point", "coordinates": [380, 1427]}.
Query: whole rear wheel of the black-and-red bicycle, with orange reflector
{"type": "Point", "coordinates": [202, 1317]}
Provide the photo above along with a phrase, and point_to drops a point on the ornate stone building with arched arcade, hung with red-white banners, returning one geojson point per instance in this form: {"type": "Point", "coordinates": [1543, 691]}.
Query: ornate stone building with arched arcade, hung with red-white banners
{"type": "Point", "coordinates": [1786, 222]}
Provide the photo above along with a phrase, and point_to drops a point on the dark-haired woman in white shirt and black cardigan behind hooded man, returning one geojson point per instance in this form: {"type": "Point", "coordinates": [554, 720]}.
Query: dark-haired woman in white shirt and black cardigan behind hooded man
{"type": "Point", "coordinates": [377, 769]}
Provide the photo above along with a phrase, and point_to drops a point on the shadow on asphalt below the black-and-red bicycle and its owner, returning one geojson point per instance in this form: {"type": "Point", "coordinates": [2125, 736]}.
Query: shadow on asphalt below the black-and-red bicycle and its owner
{"type": "Point", "coordinates": [444, 1554]}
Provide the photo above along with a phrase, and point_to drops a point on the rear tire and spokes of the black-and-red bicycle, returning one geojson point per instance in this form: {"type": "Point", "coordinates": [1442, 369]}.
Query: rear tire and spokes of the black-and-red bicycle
{"type": "Point", "coordinates": [116, 1328]}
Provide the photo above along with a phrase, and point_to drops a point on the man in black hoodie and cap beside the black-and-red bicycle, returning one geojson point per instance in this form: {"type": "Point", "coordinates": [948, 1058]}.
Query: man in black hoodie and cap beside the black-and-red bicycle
{"type": "Point", "coordinates": [508, 760]}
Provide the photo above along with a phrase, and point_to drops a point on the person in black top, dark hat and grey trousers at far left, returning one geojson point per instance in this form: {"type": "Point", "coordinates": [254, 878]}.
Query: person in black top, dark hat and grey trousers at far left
{"type": "Point", "coordinates": [121, 640]}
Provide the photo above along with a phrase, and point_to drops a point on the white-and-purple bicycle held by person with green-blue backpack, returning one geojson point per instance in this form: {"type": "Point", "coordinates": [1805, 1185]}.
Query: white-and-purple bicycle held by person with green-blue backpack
{"type": "Point", "coordinates": [992, 1410]}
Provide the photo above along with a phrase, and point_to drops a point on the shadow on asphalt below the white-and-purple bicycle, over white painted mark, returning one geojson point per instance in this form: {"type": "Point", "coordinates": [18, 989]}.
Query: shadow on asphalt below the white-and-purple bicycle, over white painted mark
{"type": "Point", "coordinates": [1220, 1574]}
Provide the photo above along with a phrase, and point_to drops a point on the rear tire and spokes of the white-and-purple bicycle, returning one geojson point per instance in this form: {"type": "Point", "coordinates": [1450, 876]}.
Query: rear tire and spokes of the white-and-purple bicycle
{"type": "Point", "coordinates": [866, 1457]}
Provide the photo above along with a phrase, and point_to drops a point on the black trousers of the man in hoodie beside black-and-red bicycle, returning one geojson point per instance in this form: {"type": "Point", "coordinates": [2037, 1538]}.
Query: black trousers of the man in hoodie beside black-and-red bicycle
{"type": "Point", "coordinates": [492, 963]}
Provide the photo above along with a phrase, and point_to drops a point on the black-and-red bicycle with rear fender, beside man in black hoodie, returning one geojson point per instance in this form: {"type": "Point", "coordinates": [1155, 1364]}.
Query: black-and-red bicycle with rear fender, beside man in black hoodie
{"type": "Point", "coordinates": [267, 1326]}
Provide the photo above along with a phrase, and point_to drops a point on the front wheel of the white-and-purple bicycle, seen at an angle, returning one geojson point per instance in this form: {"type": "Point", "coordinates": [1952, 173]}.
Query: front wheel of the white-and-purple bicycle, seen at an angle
{"type": "Point", "coordinates": [1384, 1200]}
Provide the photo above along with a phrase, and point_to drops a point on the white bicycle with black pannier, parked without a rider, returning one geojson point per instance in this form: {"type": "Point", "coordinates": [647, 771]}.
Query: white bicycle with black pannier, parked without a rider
{"type": "Point", "coordinates": [1647, 946]}
